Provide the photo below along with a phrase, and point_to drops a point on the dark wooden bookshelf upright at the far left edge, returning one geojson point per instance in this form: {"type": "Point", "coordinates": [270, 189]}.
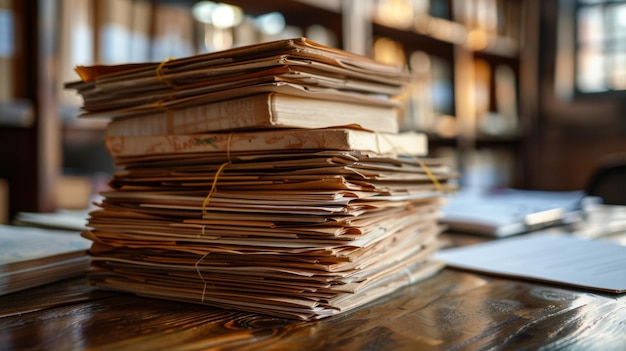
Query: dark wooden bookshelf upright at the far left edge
{"type": "Point", "coordinates": [30, 151]}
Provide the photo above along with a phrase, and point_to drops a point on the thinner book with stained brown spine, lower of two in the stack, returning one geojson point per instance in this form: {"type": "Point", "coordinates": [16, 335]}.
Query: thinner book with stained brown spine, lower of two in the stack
{"type": "Point", "coordinates": [408, 143]}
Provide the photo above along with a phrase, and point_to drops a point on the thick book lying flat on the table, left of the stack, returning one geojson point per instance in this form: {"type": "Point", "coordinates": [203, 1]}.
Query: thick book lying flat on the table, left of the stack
{"type": "Point", "coordinates": [31, 256]}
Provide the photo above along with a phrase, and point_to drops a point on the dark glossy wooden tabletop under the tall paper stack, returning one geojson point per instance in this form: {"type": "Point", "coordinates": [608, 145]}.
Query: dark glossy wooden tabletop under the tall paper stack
{"type": "Point", "coordinates": [453, 310]}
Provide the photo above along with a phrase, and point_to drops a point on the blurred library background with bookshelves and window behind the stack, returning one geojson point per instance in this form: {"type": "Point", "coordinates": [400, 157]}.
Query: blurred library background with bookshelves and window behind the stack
{"type": "Point", "coordinates": [526, 94]}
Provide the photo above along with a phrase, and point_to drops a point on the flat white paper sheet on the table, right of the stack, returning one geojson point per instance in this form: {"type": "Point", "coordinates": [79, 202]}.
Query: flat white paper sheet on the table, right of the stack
{"type": "Point", "coordinates": [555, 258]}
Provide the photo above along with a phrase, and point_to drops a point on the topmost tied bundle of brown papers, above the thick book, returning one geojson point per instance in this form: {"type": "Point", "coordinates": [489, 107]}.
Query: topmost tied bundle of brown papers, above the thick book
{"type": "Point", "coordinates": [294, 67]}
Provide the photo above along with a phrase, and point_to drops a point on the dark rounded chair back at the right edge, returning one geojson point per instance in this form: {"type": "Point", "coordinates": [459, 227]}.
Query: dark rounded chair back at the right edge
{"type": "Point", "coordinates": [608, 181]}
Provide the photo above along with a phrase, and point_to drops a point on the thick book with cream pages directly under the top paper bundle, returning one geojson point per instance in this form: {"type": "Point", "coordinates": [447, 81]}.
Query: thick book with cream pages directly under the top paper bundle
{"type": "Point", "coordinates": [261, 111]}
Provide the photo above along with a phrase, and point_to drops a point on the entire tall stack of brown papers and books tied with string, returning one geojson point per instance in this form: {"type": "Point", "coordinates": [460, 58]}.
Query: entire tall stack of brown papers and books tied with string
{"type": "Point", "coordinates": [269, 178]}
